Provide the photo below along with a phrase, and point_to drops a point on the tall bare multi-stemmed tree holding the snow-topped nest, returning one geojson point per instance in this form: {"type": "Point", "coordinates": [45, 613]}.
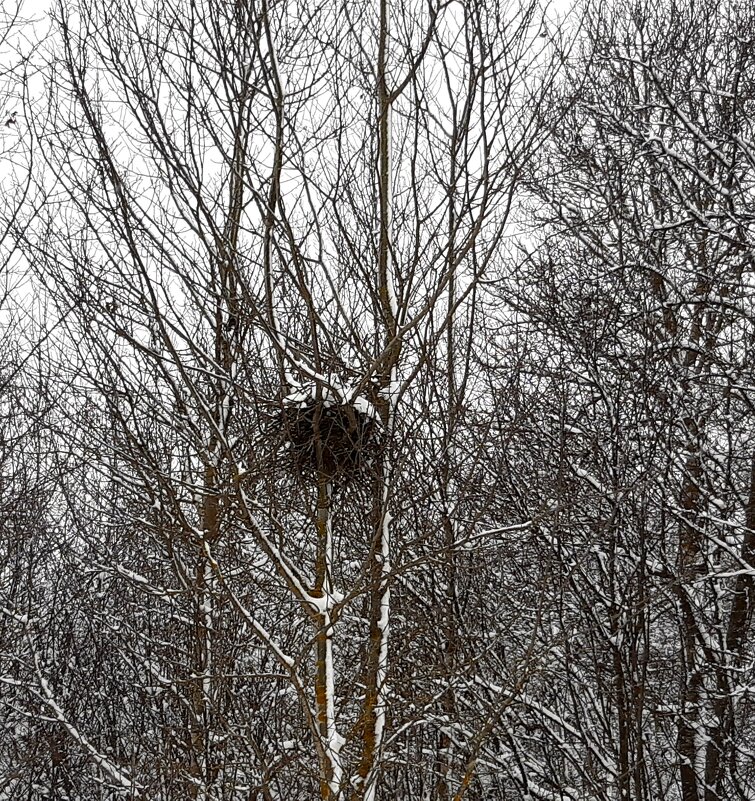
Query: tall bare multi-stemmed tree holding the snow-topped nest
{"type": "Point", "coordinates": [265, 228]}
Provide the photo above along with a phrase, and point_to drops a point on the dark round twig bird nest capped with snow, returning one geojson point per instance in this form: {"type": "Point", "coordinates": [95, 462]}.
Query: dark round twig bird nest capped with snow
{"type": "Point", "coordinates": [328, 437]}
